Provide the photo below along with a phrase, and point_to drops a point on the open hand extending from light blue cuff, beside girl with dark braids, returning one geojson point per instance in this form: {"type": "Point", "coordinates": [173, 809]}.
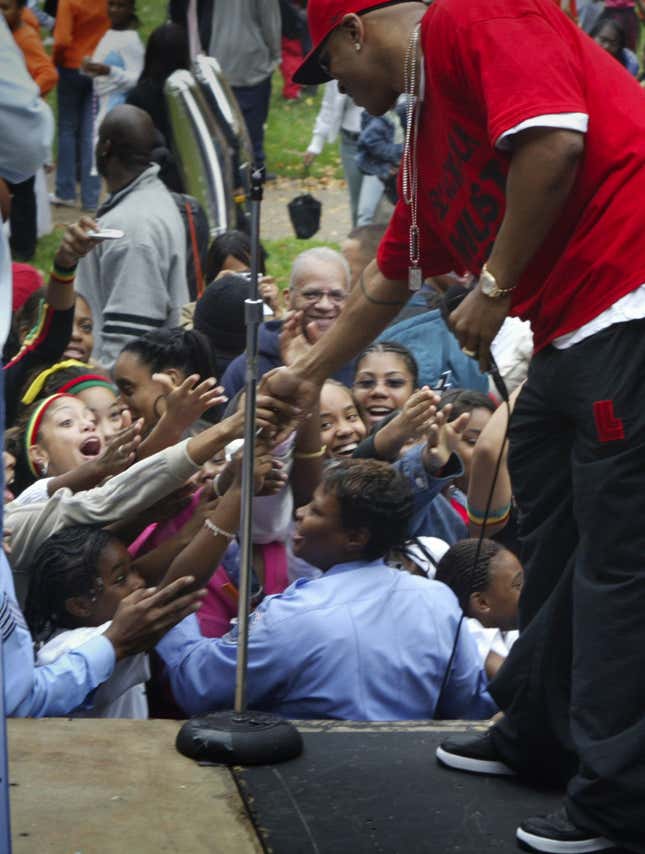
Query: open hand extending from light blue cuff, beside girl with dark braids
{"type": "Point", "coordinates": [144, 616]}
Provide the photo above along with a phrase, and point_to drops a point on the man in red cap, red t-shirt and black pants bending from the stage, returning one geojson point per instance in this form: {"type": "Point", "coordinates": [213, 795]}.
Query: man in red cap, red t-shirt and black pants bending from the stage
{"type": "Point", "coordinates": [531, 170]}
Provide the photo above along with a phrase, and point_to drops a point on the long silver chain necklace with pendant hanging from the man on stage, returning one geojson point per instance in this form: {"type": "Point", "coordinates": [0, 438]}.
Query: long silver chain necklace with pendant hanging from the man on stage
{"type": "Point", "coordinates": [410, 182]}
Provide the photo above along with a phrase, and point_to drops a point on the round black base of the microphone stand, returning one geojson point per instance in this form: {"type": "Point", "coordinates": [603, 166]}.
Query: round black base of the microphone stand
{"type": "Point", "coordinates": [253, 738]}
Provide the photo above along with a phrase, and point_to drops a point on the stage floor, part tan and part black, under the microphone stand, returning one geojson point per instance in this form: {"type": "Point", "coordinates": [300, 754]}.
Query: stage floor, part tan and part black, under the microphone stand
{"type": "Point", "coordinates": [120, 787]}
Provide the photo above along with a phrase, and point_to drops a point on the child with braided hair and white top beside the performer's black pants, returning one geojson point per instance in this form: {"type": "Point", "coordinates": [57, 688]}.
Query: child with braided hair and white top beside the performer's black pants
{"type": "Point", "coordinates": [487, 580]}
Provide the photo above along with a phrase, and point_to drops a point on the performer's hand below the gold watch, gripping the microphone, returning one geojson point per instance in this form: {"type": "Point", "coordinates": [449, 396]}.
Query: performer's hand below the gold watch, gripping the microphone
{"type": "Point", "coordinates": [476, 321]}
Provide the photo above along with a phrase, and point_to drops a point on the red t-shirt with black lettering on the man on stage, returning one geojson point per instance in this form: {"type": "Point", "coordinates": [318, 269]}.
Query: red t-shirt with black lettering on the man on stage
{"type": "Point", "coordinates": [489, 66]}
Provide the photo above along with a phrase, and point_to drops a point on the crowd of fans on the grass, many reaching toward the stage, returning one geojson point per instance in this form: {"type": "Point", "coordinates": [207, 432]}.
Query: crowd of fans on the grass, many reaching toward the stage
{"type": "Point", "coordinates": [379, 522]}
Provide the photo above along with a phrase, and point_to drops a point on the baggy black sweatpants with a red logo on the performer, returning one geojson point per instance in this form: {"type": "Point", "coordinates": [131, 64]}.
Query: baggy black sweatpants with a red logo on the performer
{"type": "Point", "coordinates": [573, 687]}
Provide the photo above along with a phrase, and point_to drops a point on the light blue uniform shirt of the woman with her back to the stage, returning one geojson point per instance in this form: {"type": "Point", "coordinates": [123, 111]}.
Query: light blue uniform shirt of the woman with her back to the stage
{"type": "Point", "coordinates": [362, 642]}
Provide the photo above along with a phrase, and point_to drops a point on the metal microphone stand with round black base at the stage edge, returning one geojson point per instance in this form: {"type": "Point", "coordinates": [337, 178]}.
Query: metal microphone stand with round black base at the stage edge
{"type": "Point", "coordinates": [241, 736]}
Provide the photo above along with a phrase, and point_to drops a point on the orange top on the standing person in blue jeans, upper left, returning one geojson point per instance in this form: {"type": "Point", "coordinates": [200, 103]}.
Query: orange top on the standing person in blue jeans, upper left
{"type": "Point", "coordinates": [80, 25]}
